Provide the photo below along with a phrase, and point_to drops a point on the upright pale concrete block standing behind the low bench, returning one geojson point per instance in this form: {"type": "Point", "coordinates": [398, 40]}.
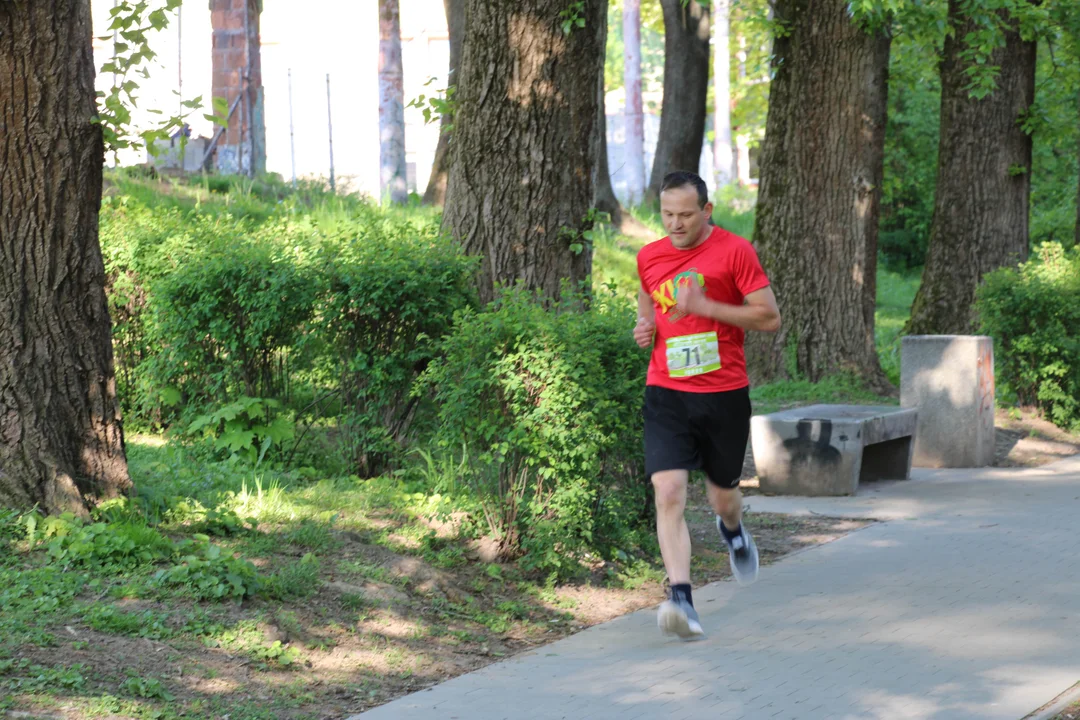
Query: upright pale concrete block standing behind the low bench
{"type": "Point", "coordinates": [950, 378]}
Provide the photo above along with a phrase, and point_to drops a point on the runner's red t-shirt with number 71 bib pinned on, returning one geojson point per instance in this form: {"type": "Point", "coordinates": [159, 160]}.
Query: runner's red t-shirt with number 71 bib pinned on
{"type": "Point", "coordinates": [728, 268]}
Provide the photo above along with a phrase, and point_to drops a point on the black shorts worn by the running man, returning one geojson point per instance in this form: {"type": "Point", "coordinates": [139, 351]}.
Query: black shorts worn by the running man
{"type": "Point", "coordinates": [697, 431]}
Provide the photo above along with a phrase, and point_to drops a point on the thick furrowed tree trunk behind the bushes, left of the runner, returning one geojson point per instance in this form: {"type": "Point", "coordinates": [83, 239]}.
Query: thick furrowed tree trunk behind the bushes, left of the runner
{"type": "Point", "coordinates": [526, 144]}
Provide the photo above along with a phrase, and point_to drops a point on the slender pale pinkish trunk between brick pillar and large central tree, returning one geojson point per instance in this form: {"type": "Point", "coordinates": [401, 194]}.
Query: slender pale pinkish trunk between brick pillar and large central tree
{"type": "Point", "coordinates": [391, 105]}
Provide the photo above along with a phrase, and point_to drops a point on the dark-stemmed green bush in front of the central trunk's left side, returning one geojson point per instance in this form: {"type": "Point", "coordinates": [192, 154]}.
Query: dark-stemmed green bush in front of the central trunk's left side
{"type": "Point", "coordinates": [390, 295]}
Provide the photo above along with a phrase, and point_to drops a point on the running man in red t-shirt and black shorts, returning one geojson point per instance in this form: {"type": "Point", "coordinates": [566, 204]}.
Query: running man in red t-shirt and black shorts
{"type": "Point", "coordinates": [703, 289]}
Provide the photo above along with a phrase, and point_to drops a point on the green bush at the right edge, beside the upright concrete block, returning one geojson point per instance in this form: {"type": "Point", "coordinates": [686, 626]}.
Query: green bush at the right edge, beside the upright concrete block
{"type": "Point", "coordinates": [1033, 313]}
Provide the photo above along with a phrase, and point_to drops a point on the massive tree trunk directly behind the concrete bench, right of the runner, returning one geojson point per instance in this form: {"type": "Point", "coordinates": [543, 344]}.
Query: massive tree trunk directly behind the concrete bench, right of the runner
{"type": "Point", "coordinates": [818, 205]}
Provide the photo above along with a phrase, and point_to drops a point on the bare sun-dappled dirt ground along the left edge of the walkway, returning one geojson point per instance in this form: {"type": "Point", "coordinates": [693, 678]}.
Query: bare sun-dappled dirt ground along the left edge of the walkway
{"type": "Point", "coordinates": [417, 627]}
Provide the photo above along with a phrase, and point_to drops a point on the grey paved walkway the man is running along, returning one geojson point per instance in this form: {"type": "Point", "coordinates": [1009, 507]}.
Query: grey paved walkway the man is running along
{"type": "Point", "coordinates": [966, 604]}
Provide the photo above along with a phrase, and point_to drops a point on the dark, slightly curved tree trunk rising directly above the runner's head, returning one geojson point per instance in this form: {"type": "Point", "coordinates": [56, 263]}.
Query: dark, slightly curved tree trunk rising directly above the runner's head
{"type": "Point", "coordinates": [687, 29]}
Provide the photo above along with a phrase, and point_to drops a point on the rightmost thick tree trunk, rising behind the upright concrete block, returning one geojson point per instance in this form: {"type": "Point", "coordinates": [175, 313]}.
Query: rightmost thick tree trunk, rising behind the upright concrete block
{"type": "Point", "coordinates": [984, 182]}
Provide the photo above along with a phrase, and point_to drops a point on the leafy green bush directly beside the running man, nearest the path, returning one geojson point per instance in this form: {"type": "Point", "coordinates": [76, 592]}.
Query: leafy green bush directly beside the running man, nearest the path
{"type": "Point", "coordinates": [547, 404]}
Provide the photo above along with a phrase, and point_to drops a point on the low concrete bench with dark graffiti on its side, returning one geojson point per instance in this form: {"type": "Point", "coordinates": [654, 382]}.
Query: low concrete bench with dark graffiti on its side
{"type": "Point", "coordinates": [829, 450]}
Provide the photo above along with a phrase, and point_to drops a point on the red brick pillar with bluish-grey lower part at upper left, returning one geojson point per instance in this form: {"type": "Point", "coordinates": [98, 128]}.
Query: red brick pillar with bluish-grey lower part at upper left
{"type": "Point", "coordinates": [238, 78]}
